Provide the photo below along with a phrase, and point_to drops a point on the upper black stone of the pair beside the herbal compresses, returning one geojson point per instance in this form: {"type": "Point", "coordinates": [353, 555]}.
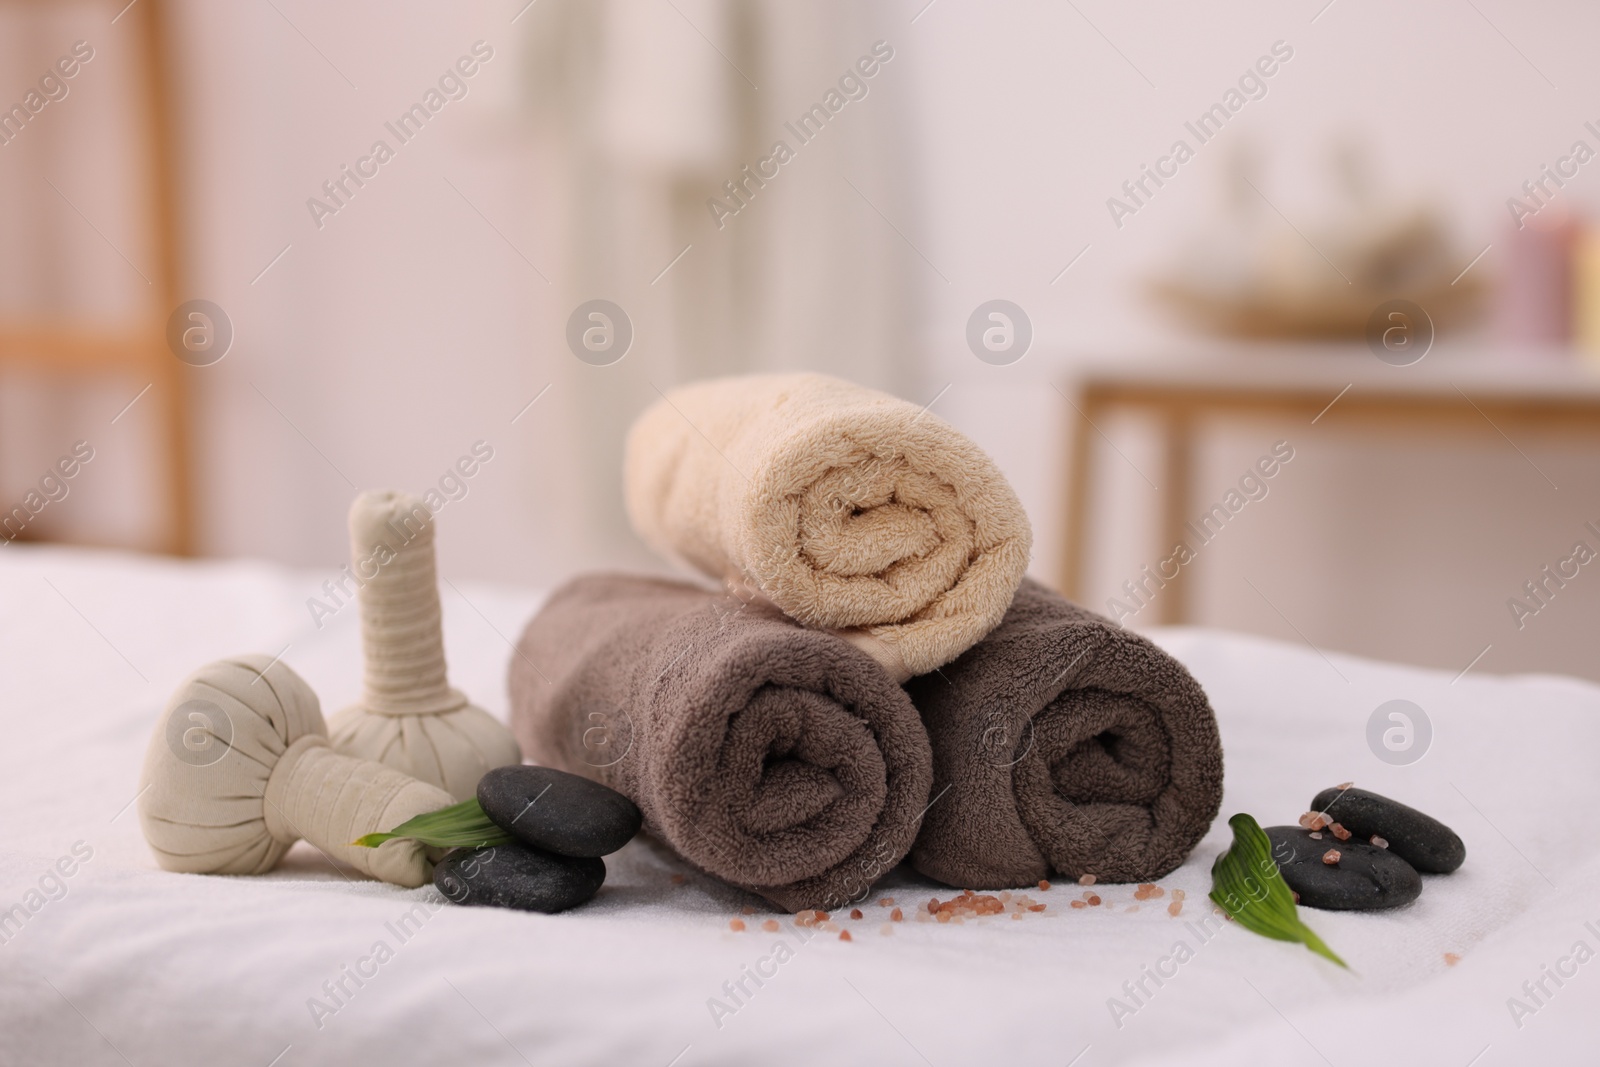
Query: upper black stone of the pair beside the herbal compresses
{"type": "Point", "coordinates": [559, 812]}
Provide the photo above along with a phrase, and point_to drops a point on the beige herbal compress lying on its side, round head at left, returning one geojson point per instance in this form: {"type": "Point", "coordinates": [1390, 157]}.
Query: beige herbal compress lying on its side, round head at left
{"type": "Point", "coordinates": [239, 769]}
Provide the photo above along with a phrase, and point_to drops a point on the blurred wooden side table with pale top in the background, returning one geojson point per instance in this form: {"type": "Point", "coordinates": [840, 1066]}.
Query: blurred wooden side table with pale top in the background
{"type": "Point", "coordinates": [1490, 396]}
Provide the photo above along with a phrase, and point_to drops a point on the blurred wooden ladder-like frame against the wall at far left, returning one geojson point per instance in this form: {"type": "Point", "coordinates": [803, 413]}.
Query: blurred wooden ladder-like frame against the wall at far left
{"type": "Point", "coordinates": [63, 350]}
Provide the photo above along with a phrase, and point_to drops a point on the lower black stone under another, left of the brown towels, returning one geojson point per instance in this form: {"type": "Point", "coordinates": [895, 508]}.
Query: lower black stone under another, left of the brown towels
{"type": "Point", "coordinates": [514, 876]}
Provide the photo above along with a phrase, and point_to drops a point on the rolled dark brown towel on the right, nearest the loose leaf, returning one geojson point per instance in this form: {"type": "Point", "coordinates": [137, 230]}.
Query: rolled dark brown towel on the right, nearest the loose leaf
{"type": "Point", "coordinates": [1065, 745]}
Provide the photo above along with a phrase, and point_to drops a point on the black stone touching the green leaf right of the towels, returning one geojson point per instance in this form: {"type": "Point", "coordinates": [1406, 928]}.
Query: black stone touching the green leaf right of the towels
{"type": "Point", "coordinates": [1366, 877]}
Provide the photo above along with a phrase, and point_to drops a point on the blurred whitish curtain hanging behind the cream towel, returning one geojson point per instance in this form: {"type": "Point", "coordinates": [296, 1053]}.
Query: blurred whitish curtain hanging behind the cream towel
{"type": "Point", "coordinates": [649, 108]}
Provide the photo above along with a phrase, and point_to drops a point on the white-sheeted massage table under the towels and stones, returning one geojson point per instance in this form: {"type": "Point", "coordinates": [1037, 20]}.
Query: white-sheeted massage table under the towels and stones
{"type": "Point", "coordinates": [121, 962]}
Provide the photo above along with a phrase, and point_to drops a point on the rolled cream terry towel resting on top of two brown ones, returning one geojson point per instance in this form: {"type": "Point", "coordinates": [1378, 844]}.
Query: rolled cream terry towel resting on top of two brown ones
{"type": "Point", "coordinates": [847, 508]}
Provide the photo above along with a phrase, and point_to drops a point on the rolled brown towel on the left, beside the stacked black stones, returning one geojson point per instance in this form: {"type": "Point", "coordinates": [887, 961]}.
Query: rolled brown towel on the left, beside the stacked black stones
{"type": "Point", "coordinates": [775, 757]}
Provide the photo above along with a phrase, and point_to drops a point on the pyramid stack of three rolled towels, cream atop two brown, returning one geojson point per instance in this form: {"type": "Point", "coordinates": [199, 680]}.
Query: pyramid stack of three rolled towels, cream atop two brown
{"type": "Point", "coordinates": [874, 681]}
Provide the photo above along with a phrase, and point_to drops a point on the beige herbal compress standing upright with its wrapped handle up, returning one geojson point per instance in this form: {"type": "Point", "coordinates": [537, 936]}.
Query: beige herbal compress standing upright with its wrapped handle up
{"type": "Point", "coordinates": [409, 716]}
